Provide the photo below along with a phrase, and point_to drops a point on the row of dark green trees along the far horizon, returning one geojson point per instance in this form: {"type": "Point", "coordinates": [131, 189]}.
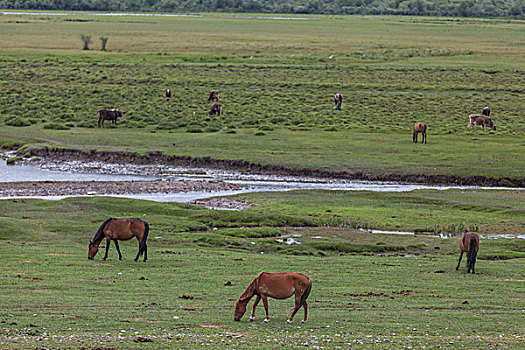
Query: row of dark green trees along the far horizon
{"type": "Point", "coordinates": [461, 8]}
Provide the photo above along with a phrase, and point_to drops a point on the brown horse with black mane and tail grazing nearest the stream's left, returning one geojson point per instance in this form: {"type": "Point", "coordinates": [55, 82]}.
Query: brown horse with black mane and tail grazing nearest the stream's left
{"type": "Point", "coordinates": [120, 229]}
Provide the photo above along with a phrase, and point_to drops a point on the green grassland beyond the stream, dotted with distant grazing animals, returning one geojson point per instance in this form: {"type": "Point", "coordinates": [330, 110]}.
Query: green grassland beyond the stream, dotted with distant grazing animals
{"type": "Point", "coordinates": [277, 80]}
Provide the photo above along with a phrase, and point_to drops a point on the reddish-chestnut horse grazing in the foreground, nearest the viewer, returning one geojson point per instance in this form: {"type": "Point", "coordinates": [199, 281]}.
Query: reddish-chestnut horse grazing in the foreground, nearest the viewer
{"type": "Point", "coordinates": [276, 285]}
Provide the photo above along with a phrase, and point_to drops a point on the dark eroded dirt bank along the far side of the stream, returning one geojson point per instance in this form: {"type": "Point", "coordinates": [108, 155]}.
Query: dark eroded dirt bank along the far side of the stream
{"type": "Point", "coordinates": [244, 166]}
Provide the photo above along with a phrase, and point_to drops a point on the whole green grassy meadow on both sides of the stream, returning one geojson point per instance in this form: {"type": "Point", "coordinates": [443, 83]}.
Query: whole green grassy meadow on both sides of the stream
{"type": "Point", "coordinates": [277, 79]}
